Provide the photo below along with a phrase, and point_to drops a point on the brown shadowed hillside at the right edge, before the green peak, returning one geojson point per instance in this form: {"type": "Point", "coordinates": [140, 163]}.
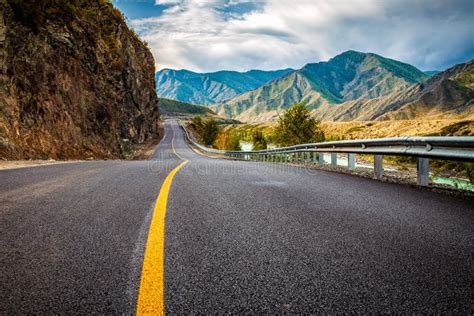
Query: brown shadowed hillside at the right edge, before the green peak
{"type": "Point", "coordinates": [448, 94]}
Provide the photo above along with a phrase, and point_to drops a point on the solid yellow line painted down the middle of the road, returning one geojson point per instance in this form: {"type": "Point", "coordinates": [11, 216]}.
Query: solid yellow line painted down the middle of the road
{"type": "Point", "coordinates": [151, 299]}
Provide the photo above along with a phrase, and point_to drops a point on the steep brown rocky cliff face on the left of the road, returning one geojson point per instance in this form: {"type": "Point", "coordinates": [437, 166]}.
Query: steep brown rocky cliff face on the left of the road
{"type": "Point", "coordinates": [75, 82]}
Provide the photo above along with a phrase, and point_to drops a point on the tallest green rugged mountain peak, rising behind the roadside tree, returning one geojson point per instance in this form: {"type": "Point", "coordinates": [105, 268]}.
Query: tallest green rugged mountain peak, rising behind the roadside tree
{"type": "Point", "coordinates": [349, 76]}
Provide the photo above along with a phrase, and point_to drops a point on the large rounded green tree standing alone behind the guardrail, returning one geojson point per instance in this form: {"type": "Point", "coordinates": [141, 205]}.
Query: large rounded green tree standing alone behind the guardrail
{"type": "Point", "coordinates": [297, 126]}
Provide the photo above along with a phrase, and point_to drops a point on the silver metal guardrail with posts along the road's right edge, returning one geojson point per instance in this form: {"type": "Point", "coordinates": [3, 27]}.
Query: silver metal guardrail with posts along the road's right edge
{"type": "Point", "coordinates": [459, 148]}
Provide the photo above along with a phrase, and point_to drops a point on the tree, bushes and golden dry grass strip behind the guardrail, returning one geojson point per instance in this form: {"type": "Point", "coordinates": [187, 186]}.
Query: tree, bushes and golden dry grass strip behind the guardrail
{"type": "Point", "coordinates": [296, 126]}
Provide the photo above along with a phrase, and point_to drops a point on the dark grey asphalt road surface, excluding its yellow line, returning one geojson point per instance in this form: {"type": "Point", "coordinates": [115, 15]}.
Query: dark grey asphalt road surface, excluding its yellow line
{"type": "Point", "coordinates": [239, 237]}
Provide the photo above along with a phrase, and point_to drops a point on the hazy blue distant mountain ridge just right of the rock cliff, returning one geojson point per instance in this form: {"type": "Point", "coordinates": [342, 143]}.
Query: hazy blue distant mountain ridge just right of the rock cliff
{"type": "Point", "coordinates": [209, 88]}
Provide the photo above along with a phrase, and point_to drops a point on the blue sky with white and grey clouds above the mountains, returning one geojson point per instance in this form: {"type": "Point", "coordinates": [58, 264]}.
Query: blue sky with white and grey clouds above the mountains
{"type": "Point", "coordinates": [211, 35]}
